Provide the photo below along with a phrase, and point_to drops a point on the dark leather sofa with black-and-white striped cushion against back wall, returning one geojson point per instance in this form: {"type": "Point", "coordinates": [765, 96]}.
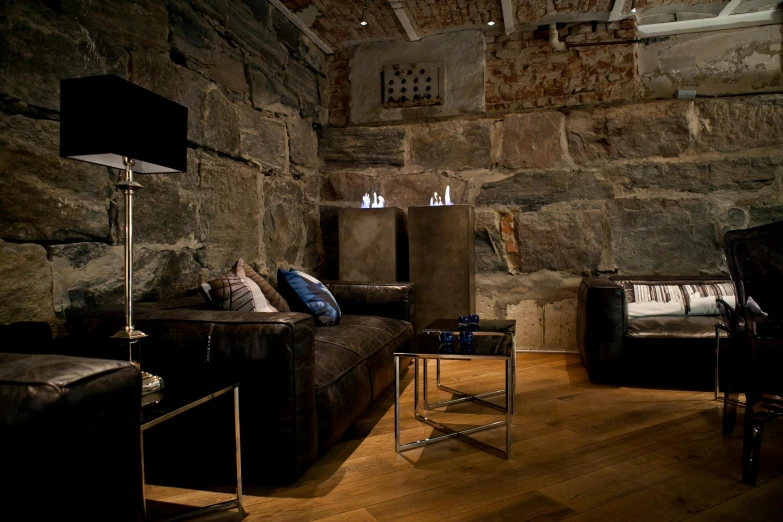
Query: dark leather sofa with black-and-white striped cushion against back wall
{"type": "Point", "coordinates": [660, 350]}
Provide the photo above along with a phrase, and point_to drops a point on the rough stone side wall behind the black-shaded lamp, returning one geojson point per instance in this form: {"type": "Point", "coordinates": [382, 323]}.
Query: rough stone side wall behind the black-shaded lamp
{"type": "Point", "coordinates": [252, 84]}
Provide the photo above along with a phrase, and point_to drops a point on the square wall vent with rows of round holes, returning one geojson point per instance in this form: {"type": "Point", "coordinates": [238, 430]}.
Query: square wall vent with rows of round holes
{"type": "Point", "coordinates": [412, 84]}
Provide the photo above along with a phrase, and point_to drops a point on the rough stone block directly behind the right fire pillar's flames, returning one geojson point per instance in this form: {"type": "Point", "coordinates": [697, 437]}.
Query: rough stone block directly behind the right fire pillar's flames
{"type": "Point", "coordinates": [416, 189]}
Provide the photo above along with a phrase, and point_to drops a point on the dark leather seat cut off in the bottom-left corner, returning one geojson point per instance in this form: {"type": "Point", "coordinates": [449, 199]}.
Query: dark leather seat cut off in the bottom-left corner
{"type": "Point", "coordinates": [69, 439]}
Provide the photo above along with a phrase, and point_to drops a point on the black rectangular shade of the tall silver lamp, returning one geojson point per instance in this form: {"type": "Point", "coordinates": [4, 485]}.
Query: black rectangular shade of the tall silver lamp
{"type": "Point", "coordinates": [103, 118]}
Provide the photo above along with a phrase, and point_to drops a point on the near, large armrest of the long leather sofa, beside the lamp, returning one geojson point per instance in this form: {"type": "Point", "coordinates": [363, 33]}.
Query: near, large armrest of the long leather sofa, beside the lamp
{"type": "Point", "coordinates": [270, 354]}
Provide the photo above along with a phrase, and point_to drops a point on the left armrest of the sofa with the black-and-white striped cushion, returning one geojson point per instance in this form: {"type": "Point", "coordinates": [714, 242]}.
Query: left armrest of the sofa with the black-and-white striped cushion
{"type": "Point", "coordinates": [601, 325]}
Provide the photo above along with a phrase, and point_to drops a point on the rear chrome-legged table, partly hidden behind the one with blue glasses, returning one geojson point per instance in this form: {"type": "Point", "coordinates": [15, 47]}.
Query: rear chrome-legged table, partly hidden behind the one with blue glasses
{"type": "Point", "coordinates": [505, 328]}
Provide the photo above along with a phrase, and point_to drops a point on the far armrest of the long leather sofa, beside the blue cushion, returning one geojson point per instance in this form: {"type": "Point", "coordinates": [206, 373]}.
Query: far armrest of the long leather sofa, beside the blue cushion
{"type": "Point", "coordinates": [393, 300]}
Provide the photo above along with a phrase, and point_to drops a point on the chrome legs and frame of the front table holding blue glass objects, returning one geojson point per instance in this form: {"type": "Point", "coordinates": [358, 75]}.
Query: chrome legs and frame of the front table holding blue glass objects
{"type": "Point", "coordinates": [463, 435]}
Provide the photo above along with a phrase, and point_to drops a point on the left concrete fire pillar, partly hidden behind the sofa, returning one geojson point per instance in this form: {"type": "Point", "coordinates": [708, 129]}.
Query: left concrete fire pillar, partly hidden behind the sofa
{"type": "Point", "coordinates": [373, 245]}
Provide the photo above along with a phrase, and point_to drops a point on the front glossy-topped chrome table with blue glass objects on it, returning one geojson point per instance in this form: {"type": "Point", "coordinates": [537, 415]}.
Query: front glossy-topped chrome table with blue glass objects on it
{"type": "Point", "coordinates": [485, 347]}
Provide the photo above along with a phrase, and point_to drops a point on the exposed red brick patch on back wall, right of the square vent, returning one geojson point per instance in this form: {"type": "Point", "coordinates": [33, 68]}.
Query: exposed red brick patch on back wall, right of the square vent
{"type": "Point", "coordinates": [524, 72]}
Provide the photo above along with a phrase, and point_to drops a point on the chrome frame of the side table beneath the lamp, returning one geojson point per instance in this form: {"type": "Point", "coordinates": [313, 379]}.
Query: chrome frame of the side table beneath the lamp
{"type": "Point", "coordinates": [237, 502]}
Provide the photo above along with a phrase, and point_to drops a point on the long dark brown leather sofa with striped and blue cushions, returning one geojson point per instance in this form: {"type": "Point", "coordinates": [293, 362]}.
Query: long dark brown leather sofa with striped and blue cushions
{"type": "Point", "coordinates": [302, 387]}
